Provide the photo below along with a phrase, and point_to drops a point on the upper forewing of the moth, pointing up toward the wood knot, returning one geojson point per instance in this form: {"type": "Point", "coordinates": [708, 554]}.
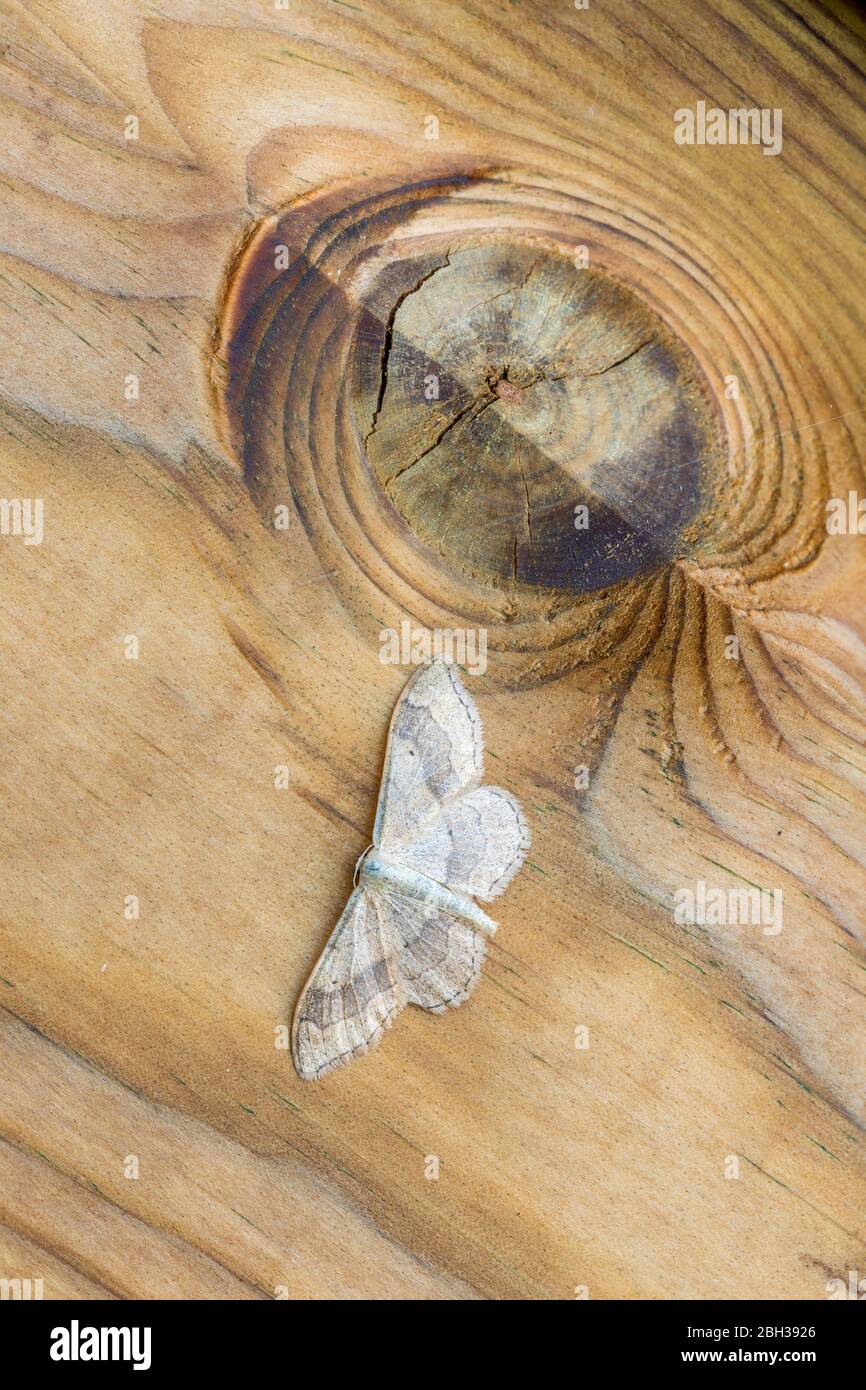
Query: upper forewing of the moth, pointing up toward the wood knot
{"type": "Point", "coordinates": [434, 754]}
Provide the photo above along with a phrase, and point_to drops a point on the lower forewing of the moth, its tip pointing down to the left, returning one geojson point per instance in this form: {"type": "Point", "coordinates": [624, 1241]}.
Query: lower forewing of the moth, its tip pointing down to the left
{"type": "Point", "coordinates": [354, 993]}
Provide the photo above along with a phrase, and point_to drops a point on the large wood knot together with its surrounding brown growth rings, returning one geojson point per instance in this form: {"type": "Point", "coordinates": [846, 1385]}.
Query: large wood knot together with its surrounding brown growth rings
{"type": "Point", "coordinates": [471, 427]}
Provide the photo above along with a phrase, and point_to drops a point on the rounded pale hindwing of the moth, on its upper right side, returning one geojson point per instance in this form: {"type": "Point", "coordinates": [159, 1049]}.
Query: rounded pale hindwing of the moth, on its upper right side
{"type": "Point", "coordinates": [475, 846]}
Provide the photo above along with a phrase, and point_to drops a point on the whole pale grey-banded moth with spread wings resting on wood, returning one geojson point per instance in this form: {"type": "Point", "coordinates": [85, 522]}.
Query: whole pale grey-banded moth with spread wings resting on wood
{"type": "Point", "coordinates": [411, 932]}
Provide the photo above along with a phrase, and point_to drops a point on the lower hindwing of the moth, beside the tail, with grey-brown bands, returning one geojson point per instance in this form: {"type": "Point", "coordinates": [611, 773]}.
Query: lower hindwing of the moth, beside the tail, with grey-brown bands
{"type": "Point", "coordinates": [440, 954]}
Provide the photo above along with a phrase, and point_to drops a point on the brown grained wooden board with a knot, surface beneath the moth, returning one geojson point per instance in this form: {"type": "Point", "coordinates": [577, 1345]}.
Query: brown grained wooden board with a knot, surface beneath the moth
{"type": "Point", "coordinates": [293, 380]}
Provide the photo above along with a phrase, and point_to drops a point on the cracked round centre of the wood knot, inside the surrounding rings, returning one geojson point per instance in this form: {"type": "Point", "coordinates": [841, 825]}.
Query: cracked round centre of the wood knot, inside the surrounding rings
{"type": "Point", "coordinates": [534, 423]}
